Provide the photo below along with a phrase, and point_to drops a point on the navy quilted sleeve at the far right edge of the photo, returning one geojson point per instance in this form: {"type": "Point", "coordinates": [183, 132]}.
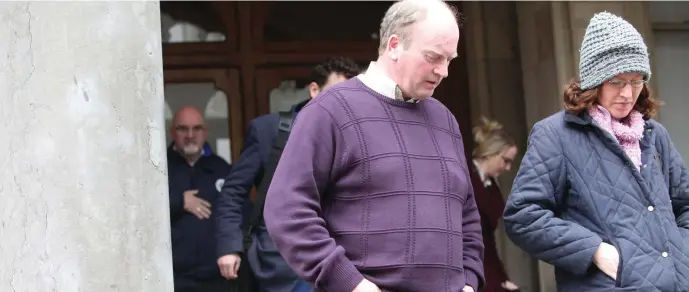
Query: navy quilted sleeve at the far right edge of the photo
{"type": "Point", "coordinates": [678, 182]}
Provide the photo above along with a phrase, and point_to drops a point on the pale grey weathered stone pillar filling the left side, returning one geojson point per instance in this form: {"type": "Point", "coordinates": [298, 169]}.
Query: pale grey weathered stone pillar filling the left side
{"type": "Point", "coordinates": [83, 166]}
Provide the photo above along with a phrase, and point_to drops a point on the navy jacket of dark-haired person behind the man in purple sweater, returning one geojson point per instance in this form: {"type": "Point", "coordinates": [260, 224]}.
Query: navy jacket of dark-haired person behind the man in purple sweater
{"type": "Point", "coordinates": [272, 272]}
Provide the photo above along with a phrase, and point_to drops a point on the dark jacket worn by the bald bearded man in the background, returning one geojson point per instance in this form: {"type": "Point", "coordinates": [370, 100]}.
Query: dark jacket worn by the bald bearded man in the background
{"type": "Point", "coordinates": [193, 240]}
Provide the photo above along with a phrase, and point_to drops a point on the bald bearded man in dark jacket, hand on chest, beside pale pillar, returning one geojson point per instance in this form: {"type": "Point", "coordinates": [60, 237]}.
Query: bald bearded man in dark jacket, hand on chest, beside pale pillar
{"type": "Point", "coordinates": [195, 177]}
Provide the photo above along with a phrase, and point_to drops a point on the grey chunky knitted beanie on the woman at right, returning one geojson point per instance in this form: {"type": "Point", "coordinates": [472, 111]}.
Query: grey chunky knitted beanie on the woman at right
{"type": "Point", "coordinates": [611, 46]}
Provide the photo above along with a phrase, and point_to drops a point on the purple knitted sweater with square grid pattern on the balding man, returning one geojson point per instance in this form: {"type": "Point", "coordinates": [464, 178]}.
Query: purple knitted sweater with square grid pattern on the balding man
{"type": "Point", "coordinates": [373, 187]}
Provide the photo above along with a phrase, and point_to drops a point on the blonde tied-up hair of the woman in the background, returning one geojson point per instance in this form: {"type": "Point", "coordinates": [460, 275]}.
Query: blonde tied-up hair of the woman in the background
{"type": "Point", "coordinates": [490, 139]}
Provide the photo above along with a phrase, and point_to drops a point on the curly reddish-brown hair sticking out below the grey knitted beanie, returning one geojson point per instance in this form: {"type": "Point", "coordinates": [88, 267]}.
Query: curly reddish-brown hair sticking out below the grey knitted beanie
{"type": "Point", "coordinates": [577, 101]}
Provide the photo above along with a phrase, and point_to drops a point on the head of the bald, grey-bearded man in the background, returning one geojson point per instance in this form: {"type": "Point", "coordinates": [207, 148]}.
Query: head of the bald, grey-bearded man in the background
{"type": "Point", "coordinates": [189, 131]}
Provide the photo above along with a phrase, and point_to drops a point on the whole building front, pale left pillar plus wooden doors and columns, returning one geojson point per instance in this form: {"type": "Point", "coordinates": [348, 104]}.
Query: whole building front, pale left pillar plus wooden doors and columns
{"type": "Point", "coordinates": [236, 61]}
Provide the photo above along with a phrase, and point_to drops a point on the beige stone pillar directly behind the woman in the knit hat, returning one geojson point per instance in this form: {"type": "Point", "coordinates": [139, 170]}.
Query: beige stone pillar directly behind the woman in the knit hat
{"type": "Point", "coordinates": [550, 35]}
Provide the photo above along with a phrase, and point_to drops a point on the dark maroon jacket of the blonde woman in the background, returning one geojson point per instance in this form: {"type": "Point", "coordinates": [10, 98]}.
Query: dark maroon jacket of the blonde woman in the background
{"type": "Point", "coordinates": [490, 205]}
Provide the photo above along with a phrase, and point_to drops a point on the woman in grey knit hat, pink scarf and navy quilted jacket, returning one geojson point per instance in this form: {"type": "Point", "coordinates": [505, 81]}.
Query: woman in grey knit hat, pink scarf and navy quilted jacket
{"type": "Point", "coordinates": [602, 194]}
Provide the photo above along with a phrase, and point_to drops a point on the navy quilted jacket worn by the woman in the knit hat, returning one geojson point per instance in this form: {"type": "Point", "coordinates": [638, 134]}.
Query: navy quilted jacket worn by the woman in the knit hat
{"type": "Point", "coordinates": [577, 188]}
